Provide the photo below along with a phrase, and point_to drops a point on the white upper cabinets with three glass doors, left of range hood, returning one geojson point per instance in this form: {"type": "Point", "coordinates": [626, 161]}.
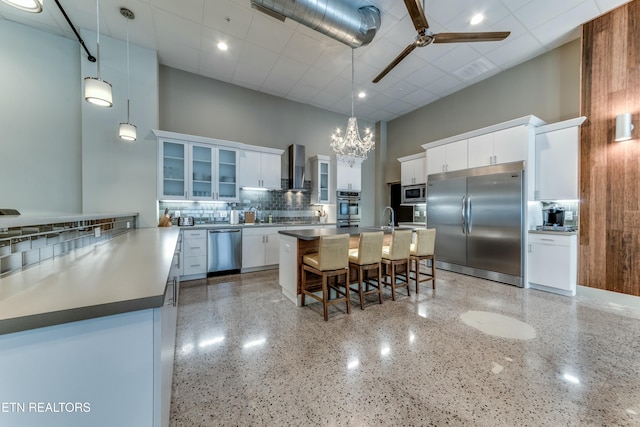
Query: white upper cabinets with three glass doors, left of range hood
{"type": "Point", "coordinates": [199, 168]}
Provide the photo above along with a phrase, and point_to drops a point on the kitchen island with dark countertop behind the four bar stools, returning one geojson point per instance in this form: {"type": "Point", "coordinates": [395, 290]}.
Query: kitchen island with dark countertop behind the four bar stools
{"type": "Point", "coordinates": [295, 244]}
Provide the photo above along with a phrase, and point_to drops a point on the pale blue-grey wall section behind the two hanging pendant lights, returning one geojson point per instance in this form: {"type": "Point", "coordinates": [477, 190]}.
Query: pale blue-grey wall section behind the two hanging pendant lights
{"type": "Point", "coordinates": [119, 176]}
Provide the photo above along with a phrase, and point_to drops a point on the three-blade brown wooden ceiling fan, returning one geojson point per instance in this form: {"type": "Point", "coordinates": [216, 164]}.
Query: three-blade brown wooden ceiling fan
{"type": "Point", "coordinates": [425, 37]}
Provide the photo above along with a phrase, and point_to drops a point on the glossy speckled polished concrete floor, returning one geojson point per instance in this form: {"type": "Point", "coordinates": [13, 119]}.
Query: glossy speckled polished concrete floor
{"type": "Point", "coordinates": [470, 353]}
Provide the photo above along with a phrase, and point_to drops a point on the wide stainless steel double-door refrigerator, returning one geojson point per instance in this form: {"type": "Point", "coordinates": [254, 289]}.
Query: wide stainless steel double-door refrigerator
{"type": "Point", "coordinates": [479, 217]}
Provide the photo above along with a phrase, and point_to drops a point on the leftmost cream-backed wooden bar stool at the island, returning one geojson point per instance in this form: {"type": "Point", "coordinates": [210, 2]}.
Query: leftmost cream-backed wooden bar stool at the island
{"type": "Point", "coordinates": [331, 260]}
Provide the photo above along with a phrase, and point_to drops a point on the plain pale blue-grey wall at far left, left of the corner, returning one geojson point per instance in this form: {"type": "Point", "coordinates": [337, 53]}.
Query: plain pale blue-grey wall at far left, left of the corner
{"type": "Point", "coordinates": [40, 147]}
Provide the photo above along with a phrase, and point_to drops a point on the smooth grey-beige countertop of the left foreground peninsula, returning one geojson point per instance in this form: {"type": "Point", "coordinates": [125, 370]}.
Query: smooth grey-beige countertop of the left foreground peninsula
{"type": "Point", "coordinates": [126, 273]}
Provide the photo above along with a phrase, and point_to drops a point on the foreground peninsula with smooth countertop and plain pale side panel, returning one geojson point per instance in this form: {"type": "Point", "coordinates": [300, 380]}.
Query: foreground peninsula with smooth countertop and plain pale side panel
{"type": "Point", "coordinates": [87, 338]}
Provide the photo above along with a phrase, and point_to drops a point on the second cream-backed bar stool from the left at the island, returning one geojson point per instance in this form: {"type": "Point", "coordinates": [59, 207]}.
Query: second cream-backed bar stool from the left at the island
{"type": "Point", "coordinates": [367, 257]}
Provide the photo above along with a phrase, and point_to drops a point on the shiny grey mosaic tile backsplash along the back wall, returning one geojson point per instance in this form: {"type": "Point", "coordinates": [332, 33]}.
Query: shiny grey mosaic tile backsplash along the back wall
{"type": "Point", "coordinates": [284, 206]}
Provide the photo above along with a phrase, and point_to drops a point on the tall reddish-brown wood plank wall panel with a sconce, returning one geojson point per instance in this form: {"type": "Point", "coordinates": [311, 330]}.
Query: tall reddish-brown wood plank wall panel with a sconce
{"type": "Point", "coordinates": [609, 254]}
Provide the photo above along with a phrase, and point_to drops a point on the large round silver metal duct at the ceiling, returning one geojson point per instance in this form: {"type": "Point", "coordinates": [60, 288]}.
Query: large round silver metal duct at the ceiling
{"type": "Point", "coordinates": [334, 18]}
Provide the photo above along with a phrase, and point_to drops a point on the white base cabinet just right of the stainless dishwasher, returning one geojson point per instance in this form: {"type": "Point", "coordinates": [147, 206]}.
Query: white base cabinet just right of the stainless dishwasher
{"type": "Point", "coordinates": [260, 247]}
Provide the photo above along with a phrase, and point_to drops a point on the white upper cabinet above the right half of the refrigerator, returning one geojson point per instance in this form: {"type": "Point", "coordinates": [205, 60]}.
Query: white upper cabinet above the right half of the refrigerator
{"type": "Point", "coordinates": [502, 146]}
